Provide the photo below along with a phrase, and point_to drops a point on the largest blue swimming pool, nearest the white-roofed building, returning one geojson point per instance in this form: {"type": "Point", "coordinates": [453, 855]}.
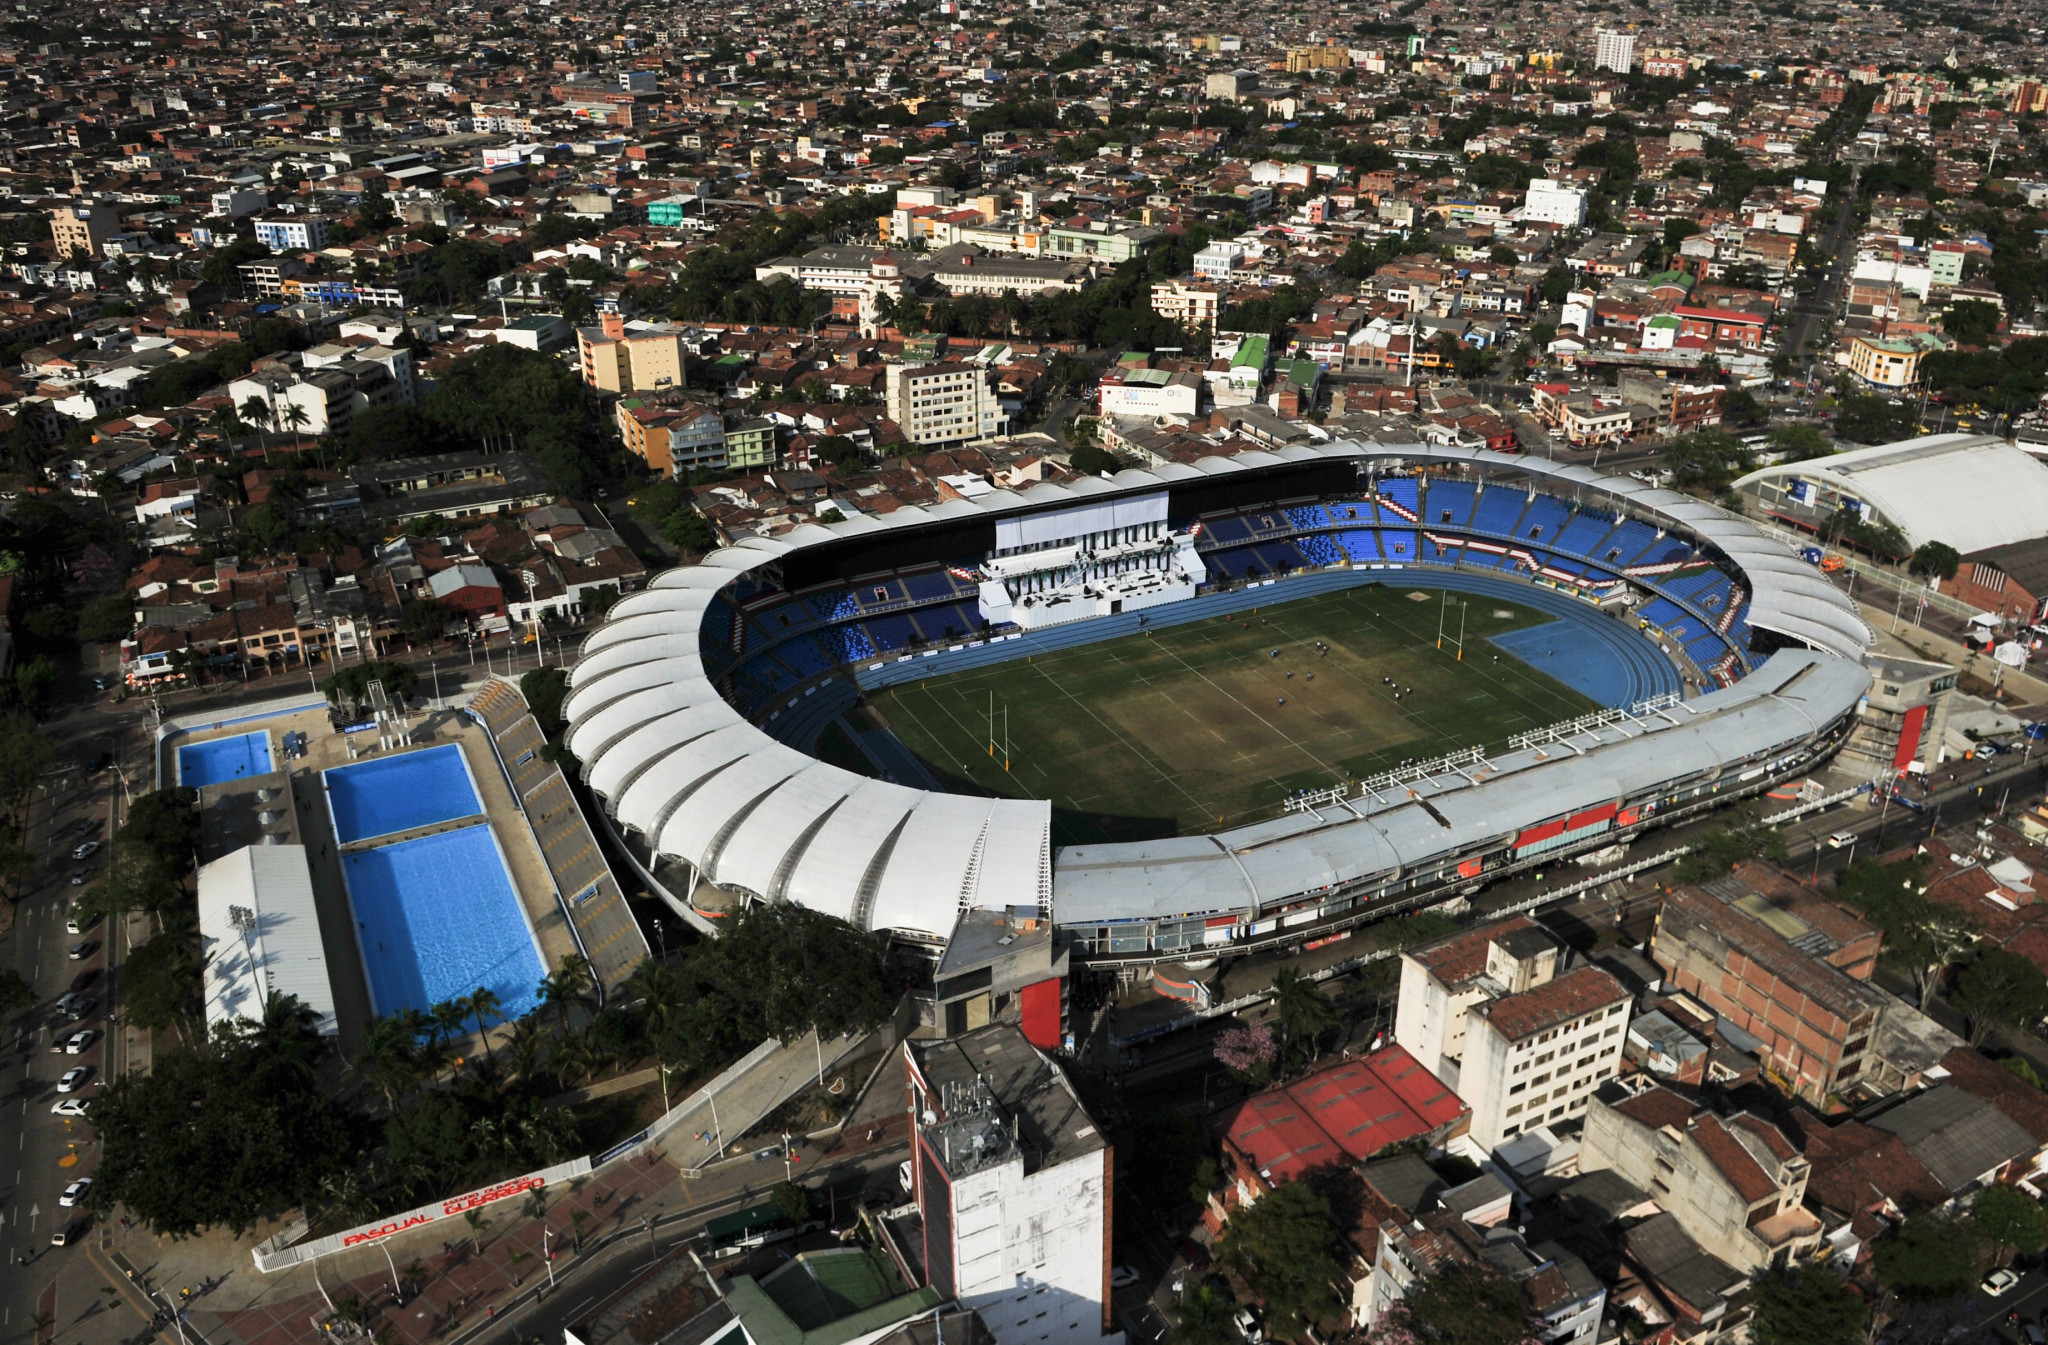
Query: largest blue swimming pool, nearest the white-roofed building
{"type": "Point", "coordinates": [437, 920]}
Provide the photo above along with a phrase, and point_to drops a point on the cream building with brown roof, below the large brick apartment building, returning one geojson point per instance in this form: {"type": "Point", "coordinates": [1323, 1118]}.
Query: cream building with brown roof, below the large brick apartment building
{"type": "Point", "coordinates": [1736, 1184]}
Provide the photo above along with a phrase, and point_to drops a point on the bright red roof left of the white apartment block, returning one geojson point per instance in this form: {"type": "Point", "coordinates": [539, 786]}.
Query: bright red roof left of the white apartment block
{"type": "Point", "coordinates": [1351, 1111]}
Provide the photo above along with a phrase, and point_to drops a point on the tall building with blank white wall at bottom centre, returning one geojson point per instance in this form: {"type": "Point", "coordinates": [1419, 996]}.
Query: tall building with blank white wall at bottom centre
{"type": "Point", "coordinates": [1013, 1180]}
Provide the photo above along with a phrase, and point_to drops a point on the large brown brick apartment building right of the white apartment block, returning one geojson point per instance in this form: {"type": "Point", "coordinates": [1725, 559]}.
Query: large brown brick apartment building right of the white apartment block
{"type": "Point", "coordinates": [1783, 965]}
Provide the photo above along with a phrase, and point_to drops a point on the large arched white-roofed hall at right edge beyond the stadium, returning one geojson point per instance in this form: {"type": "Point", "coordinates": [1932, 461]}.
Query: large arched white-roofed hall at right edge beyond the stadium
{"type": "Point", "coordinates": [1965, 490]}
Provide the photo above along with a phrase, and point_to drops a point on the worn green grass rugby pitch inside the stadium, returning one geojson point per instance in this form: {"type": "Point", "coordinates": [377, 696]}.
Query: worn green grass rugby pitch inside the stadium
{"type": "Point", "coordinates": [1183, 732]}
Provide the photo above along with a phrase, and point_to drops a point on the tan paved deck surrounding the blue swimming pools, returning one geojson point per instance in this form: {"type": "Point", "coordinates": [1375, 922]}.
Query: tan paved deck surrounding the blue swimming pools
{"type": "Point", "coordinates": [337, 922]}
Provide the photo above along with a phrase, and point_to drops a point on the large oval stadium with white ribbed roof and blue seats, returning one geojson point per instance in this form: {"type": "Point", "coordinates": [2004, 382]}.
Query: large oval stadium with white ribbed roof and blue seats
{"type": "Point", "coordinates": [1209, 707]}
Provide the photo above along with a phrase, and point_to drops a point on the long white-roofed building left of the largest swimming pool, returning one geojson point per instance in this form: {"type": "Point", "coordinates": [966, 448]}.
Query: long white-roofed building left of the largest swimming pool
{"type": "Point", "coordinates": [261, 932]}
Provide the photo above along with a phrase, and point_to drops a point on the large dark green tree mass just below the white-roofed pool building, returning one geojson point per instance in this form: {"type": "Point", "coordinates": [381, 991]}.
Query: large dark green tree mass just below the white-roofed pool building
{"type": "Point", "coordinates": [226, 1133]}
